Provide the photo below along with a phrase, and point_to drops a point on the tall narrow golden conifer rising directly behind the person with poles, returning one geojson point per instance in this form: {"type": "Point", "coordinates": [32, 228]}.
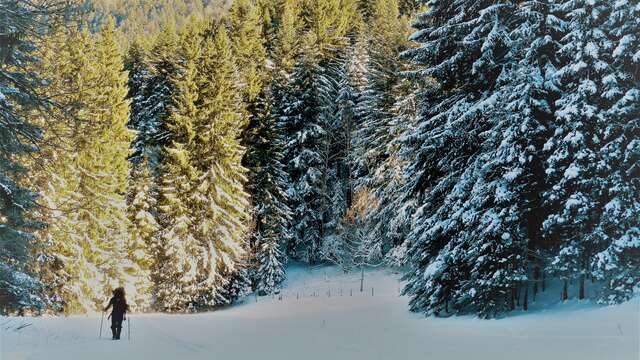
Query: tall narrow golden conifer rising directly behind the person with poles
{"type": "Point", "coordinates": [104, 170]}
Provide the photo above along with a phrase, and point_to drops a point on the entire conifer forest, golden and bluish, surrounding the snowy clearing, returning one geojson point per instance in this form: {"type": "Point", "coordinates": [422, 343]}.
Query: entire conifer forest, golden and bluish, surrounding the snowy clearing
{"type": "Point", "coordinates": [191, 150]}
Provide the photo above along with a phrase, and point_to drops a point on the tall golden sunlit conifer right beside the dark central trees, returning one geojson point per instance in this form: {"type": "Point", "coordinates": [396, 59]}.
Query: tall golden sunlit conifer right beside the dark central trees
{"type": "Point", "coordinates": [221, 203]}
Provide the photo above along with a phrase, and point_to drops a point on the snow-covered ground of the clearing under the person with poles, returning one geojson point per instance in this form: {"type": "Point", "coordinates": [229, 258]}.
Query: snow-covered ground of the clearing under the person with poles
{"type": "Point", "coordinates": [335, 325]}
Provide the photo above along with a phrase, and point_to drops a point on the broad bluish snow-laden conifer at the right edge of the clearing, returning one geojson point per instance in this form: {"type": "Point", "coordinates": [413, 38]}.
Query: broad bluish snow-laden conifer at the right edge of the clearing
{"type": "Point", "coordinates": [475, 164]}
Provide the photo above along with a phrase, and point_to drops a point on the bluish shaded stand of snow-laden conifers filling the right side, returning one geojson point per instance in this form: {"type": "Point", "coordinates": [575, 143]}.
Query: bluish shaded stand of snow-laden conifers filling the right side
{"type": "Point", "coordinates": [524, 162]}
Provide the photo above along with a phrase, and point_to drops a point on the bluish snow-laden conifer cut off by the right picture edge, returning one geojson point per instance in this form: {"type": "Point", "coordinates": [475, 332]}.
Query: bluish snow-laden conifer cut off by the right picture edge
{"type": "Point", "coordinates": [617, 266]}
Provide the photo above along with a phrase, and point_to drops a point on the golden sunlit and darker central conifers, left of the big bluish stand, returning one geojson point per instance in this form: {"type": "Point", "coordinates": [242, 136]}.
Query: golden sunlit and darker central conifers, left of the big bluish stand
{"type": "Point", "coordinates": [192, 165]}
